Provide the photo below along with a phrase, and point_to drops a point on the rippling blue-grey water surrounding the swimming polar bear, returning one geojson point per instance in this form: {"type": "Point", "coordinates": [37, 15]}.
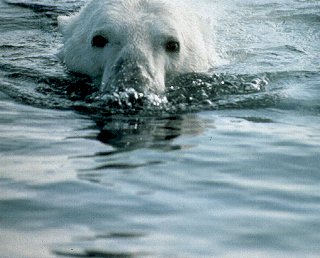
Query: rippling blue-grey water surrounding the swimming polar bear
{"type": "Point", "coordinates": [216, 172]}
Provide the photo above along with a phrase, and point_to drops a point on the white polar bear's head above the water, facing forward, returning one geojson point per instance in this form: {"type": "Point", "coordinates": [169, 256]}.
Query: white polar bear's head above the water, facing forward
{"type": "Point", "coordinates": [138, 44]}
